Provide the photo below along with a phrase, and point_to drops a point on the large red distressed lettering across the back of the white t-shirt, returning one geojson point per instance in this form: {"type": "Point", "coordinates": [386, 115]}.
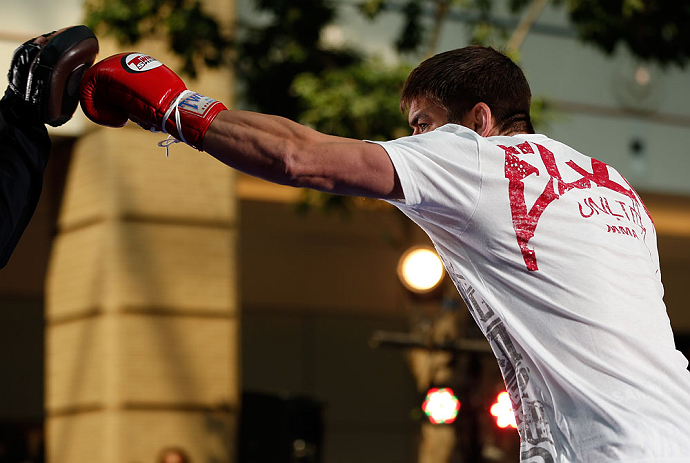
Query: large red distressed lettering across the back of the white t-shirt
{"type": "Point", "coordinates": [517, 169]}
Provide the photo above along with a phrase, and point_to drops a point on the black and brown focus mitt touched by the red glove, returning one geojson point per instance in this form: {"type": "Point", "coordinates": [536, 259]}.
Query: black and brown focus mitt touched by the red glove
{"type": "Point", "coordinates": [47, 75]}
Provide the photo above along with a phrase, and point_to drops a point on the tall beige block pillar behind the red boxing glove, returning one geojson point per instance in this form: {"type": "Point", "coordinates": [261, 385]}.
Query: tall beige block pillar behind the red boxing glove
{"type": "Point", "coordinates": [141, 296]}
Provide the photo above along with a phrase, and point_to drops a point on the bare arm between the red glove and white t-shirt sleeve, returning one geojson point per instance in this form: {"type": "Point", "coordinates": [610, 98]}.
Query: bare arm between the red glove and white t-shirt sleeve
{"type": "Point", "coordinates": [282, 151]}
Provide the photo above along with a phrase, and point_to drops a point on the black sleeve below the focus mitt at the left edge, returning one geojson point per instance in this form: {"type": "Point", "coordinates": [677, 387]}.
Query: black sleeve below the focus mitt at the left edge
{"type": "Point", "coordinates": [24, 152]}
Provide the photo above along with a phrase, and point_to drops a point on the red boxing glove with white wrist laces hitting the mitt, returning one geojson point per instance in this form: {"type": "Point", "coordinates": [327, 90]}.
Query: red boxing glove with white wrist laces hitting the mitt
{"type": "Point", "coordinates": [137, 87]}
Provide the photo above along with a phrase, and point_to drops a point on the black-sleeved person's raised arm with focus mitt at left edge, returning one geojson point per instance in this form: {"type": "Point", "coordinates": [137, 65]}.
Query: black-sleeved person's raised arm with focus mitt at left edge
{"type": "Point", "coordinates": [43, 88]}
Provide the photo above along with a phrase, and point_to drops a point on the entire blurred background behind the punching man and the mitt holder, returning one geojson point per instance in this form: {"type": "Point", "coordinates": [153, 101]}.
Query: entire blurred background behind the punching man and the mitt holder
{"type": "Point", "coordinates": [169, 309]}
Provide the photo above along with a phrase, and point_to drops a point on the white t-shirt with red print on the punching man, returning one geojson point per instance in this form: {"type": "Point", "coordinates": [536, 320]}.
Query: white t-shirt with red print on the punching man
{"type": "Point", "coordinates": [556, 258]}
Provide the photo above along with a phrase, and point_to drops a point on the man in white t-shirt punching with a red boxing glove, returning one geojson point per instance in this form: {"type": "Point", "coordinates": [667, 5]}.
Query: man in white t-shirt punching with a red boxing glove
{"type": "Point", "coordinates": [553, 252]}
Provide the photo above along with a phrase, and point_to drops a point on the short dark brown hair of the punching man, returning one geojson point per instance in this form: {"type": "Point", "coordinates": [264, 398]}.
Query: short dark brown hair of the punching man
{"type": "Point", "coordinates": [461, 78]}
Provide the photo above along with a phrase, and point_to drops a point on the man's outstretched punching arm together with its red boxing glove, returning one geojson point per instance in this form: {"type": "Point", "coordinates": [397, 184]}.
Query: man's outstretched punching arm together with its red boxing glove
{"type": "Point", "coordinates": [137, 87]}
